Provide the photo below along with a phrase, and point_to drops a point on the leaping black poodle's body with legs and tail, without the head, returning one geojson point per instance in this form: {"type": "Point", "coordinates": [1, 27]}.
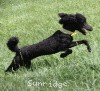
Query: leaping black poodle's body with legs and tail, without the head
{"type": "Point", "coordinates": [58, 42]}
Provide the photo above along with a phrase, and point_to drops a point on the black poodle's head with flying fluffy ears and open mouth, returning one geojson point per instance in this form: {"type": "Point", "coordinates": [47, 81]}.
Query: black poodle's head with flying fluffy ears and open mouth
{"type": "Point", "coordinates": [74, 22]}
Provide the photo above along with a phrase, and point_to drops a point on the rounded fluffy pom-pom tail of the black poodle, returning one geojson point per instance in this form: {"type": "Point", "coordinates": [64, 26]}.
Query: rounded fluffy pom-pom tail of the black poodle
{"type": "Point", "coordinates": [13, 44]}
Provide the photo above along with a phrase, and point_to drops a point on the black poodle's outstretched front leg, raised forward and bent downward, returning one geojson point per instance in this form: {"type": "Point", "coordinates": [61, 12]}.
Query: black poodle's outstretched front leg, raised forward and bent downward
{"type": "Point", "coordinates": [75, 43]}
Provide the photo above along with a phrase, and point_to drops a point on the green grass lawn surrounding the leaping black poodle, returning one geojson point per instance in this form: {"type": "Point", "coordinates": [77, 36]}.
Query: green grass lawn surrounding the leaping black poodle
{"type": "Point", "coordinates": [35, 20]}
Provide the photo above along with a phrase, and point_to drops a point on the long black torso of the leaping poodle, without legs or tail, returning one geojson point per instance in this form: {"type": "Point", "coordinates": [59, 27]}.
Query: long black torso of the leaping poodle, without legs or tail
{"type": "Point", "coordinates": [55, 43]}
